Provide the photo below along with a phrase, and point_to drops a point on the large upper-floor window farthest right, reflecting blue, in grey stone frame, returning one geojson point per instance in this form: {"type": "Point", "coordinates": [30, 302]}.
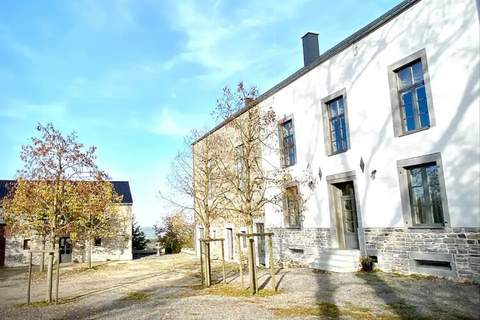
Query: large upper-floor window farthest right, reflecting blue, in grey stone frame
{"type": "Point", "coordinates": [410, 94]}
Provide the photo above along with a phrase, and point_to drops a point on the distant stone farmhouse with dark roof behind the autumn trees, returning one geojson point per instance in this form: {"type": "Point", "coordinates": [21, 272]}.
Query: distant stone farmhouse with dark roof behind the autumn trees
{"type": "Point", "coordinates": [13, 249]}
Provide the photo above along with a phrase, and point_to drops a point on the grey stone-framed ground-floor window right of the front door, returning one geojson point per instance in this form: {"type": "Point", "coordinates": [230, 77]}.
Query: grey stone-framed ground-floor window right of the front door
{"type": "Point", "coordinates": [423, 195]}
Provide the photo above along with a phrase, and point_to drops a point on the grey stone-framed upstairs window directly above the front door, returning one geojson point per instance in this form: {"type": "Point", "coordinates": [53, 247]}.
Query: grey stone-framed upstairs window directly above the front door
{"type": "Point", "coordinates": [335, 123]}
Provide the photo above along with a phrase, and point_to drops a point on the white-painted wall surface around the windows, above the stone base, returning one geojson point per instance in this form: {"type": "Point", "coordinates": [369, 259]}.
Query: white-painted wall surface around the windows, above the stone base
{"type": "Point", "coordinates": [449, 31]}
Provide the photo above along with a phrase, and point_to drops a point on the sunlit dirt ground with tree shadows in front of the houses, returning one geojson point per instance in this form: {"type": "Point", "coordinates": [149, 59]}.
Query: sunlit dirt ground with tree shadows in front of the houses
{"type": "Point", "coordinates": [168, 287]}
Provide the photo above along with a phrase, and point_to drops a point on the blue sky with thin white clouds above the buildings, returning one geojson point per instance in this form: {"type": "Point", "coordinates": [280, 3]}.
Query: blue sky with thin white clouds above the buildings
{"type": "Point", "coordinates": [133, 77]}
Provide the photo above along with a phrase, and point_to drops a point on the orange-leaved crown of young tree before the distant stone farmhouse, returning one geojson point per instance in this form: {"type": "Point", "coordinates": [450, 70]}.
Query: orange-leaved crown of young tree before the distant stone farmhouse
{"type": "Point", "coordinates": [45, 199]}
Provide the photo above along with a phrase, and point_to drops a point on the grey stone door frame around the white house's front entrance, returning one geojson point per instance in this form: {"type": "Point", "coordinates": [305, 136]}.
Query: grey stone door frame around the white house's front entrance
{"type": "Point", "coordinates": [348, 176]}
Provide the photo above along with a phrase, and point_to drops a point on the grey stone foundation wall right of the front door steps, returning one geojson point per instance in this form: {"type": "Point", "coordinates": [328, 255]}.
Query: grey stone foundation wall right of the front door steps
{"type": "Point", "coordinates": [393, 246]}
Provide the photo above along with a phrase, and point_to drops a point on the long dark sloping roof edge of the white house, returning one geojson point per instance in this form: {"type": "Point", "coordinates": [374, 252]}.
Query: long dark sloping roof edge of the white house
{"type": "Point", "coordinates": [339, 47]}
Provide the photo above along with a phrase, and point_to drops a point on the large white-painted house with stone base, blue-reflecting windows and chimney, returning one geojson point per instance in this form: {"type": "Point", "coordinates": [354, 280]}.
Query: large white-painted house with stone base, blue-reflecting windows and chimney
{"type": "Point", "coordinates": [388, 122]}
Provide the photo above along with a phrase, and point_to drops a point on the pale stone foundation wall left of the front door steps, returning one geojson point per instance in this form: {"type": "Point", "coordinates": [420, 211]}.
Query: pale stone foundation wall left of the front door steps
{"type": "Point", "coordinates": [299, 246]}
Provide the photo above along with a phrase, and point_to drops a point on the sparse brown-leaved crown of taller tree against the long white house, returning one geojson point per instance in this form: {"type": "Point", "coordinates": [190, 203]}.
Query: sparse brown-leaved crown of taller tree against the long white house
{"type": "Point", "coordinates": [251, 181]}
